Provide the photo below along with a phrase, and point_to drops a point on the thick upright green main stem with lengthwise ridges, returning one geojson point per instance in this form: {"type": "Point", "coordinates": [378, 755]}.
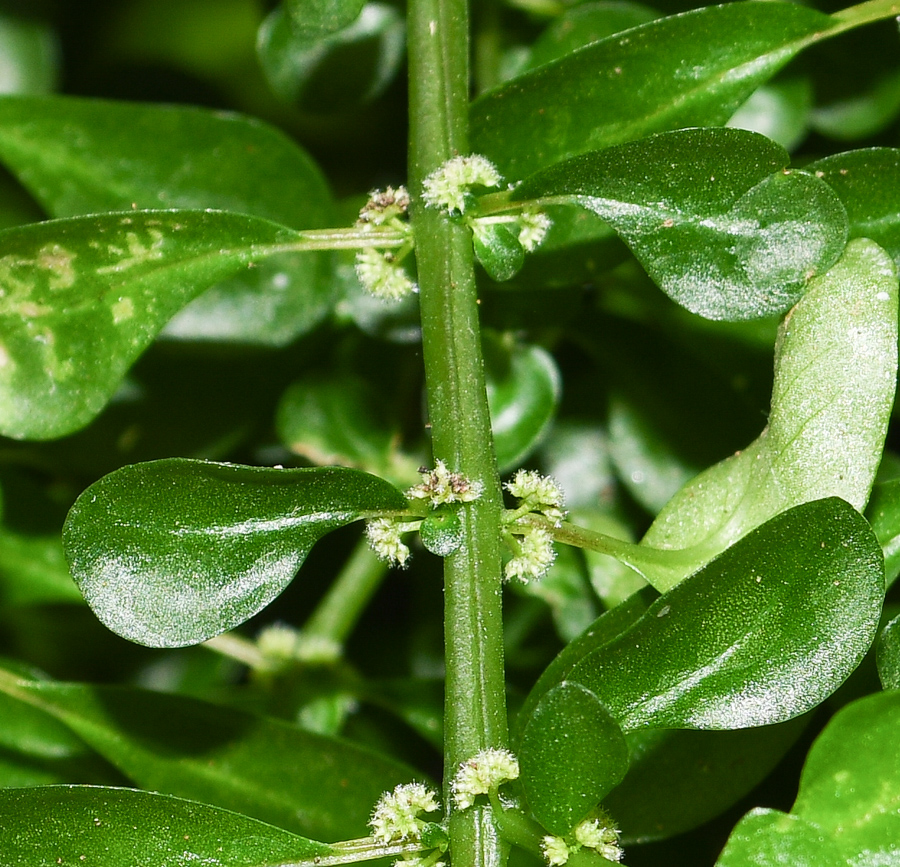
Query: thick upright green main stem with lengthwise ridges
{"type": "Point", "coordinates": [475, 716]}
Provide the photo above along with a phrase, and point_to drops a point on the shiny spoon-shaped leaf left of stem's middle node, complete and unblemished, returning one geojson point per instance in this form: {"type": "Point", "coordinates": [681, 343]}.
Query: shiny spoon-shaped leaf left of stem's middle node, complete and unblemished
{"type": "Point", "coordinates": [173, 552]}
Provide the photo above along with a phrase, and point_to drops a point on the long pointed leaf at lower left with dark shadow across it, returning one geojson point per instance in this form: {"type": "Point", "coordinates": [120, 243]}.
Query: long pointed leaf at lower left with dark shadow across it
{"type": "Point", "coordinates": [265, 768]}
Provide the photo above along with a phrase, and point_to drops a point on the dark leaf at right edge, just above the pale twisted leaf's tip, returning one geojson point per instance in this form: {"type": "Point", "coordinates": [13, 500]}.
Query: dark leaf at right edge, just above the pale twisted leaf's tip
{"type": "Point", "coordinates": [868, 183]}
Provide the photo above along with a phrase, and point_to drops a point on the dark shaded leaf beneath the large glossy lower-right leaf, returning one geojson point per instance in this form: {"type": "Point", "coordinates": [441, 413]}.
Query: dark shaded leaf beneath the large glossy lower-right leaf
{"type": "Point", "coordinates": [678, 779]}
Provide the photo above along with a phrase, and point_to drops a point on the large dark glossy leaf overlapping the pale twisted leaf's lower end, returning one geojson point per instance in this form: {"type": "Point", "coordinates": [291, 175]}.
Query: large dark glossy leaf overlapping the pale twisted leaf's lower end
{"type": "Point", "coordinates": [763, 633]}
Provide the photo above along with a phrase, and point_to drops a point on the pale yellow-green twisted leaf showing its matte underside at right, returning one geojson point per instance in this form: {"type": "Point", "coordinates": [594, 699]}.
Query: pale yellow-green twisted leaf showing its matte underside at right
{"type": "Point", "coordinates": [835, 372]}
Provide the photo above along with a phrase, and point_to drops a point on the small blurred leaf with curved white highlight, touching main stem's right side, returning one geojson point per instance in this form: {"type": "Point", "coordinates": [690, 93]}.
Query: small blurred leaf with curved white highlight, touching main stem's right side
{"type": "Point", "coordinates": [523, 388]}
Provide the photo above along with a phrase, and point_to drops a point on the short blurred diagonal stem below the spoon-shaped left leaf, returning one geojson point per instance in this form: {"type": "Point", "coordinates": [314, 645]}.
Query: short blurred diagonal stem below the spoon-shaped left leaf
{"type": "Point", "coordinates": [337, 613]}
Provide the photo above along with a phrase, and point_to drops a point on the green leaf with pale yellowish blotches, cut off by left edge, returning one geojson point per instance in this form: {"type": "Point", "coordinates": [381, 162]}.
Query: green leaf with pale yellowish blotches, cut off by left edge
{"type": "Point", "coordinates": [85, 296]}
